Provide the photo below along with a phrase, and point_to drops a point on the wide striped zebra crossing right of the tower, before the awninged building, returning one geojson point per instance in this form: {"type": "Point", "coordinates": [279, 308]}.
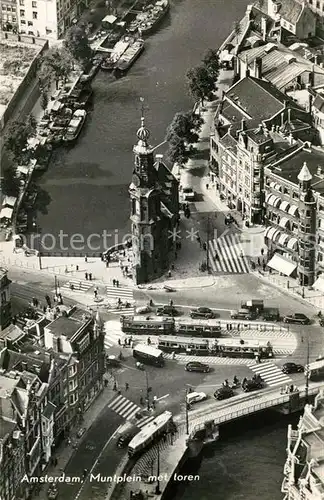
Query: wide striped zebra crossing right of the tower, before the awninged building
{"type": "Point", "coordinates": [226, 255]}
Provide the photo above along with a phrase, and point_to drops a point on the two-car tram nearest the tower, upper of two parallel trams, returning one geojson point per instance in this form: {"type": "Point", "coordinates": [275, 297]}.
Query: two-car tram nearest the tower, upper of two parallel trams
{"type": "Point", "coordinates": [155, 325]}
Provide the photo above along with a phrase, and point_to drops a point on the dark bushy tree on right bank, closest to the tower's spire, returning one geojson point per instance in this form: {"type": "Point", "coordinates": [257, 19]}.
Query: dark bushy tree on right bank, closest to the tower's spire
{"type": "Point", "coordinates": [185, 126]}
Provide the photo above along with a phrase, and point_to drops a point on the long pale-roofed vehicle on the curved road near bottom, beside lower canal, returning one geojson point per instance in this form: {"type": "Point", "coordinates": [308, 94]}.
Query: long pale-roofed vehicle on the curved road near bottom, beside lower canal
{"type": "Point", "coordinates": [149, 433]}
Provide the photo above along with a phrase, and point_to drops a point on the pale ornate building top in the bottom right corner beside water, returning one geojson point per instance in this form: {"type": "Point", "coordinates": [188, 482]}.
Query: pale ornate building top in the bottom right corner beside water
{"type": "Point", "coordinates": [304, 468]}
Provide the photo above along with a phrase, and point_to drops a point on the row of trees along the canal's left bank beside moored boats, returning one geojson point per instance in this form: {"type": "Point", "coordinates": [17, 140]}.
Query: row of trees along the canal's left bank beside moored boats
{"type": "Point", "coordinates": [56, 65]}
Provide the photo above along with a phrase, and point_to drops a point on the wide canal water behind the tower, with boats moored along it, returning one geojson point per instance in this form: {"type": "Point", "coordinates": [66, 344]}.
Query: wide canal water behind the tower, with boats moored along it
{"type": "Point", "coordinates": [86, 186]}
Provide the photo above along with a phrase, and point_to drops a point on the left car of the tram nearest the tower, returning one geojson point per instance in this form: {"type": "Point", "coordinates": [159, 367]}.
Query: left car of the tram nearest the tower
{"type": "Point", "coordinates": [139, 325]}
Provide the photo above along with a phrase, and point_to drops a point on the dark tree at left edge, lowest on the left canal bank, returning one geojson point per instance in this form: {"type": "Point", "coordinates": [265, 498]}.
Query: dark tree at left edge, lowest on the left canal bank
{"type": "Point", "coordinates": [18, 134]}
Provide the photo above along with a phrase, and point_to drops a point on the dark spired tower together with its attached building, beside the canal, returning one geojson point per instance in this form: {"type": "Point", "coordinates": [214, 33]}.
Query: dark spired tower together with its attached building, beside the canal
{"type": "Point", "coordinates": [154, 211]}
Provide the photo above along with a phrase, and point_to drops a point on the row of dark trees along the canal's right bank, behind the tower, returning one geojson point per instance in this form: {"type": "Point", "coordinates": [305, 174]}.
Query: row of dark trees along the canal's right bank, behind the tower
{"type": "Point", "coordinates": [183, 131]}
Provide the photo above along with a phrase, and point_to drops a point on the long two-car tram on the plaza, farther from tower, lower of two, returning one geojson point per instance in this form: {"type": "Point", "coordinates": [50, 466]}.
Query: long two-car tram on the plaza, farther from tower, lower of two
{"type": "Point", "coordinates": [226, 347]}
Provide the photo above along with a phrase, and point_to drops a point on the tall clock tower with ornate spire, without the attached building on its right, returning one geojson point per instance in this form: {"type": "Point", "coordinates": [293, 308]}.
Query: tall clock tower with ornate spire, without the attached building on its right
{"type": "Point", "coordinates": [145, 198]}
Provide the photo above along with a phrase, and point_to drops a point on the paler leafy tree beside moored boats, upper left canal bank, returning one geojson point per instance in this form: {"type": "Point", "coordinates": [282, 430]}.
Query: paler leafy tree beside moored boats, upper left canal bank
{"type": "Point", "coordinates": [56, 64]}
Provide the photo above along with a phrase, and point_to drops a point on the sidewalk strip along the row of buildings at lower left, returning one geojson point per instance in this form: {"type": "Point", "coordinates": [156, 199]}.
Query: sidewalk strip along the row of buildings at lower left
{"type": "Point", "coordinates": [65, 451]}
